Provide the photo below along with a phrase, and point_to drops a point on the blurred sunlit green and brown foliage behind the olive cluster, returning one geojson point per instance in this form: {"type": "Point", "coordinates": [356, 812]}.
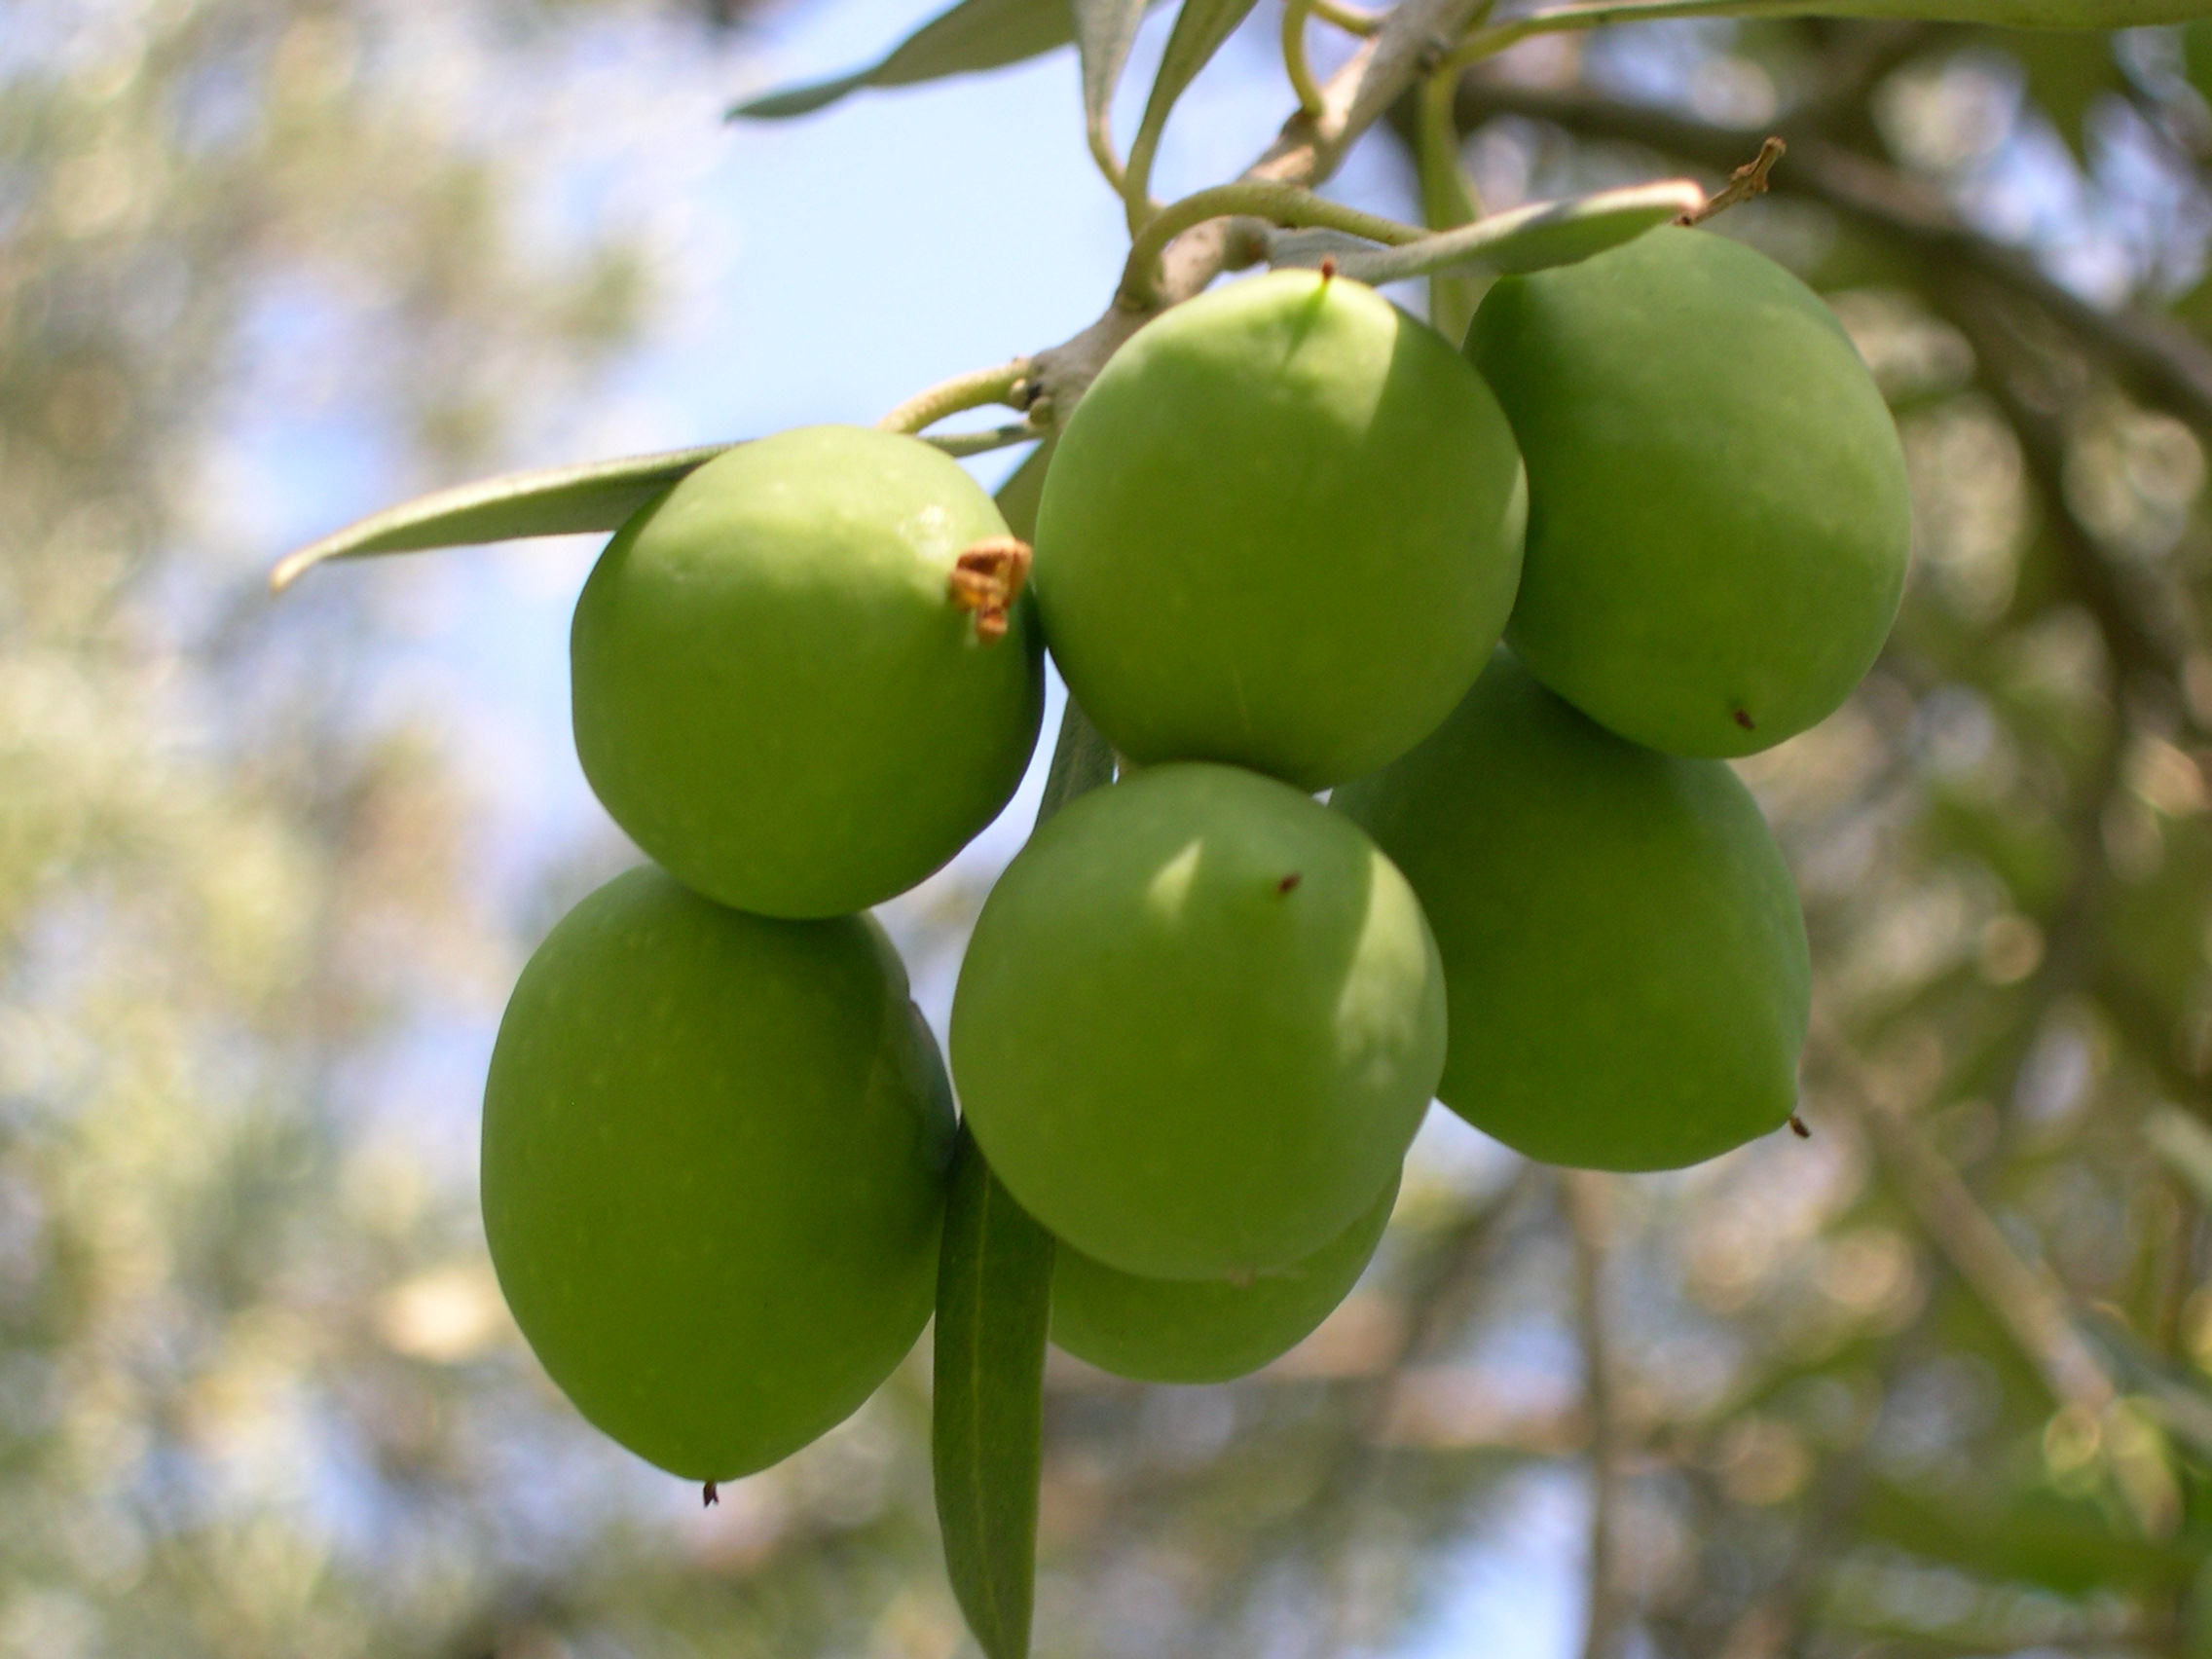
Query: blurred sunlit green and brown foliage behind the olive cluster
{"type": "Point", "coordinates": [1934, 1381]}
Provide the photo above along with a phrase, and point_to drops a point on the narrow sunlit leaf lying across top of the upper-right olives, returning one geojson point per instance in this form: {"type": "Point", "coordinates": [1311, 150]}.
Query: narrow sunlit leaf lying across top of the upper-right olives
{"type": "Point", "coordinates": [1507, 244]}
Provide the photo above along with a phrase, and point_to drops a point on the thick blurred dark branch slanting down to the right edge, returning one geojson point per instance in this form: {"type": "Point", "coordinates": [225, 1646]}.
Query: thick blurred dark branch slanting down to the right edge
{"type": "Point", "coordinates": [2167, 362]}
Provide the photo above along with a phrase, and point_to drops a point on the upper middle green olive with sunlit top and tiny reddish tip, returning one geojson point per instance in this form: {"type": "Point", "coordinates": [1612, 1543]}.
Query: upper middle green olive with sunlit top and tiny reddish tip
{"type": "Point", "coordinates": [1282, 530]}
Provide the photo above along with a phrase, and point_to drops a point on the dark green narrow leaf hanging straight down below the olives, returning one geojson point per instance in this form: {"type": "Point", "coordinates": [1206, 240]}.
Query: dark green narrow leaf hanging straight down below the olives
{"type": "Point", "coordinates": [988, 1434]}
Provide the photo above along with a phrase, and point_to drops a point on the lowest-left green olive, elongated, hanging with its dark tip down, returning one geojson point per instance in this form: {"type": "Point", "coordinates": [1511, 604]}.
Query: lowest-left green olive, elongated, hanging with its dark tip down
{"type": "Point", "coordinates": [713, 1171]}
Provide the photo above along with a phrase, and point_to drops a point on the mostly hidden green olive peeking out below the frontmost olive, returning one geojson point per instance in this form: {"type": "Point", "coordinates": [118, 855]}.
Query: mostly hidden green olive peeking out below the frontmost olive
{"type": "Point", "coordinates": [1207, 1331]}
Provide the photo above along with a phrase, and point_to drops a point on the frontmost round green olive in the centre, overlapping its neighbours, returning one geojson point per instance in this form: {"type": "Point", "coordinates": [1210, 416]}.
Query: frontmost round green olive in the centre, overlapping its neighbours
{"type": "Point", "coordinates": [1198, 1023]}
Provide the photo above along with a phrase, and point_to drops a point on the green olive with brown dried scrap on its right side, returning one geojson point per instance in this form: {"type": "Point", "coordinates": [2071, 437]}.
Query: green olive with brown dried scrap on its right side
{"type": "Point", "coordinates": [773, 693]}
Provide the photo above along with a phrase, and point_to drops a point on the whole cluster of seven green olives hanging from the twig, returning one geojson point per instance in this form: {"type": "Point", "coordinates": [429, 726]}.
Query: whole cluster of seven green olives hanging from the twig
{"type": "Point", "coordinates": [1202, 1012]}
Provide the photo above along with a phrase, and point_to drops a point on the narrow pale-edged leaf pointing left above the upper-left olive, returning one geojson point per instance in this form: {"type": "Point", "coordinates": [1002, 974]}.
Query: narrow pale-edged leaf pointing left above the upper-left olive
{"type": "Point", "coordinates": [556, 501]}
